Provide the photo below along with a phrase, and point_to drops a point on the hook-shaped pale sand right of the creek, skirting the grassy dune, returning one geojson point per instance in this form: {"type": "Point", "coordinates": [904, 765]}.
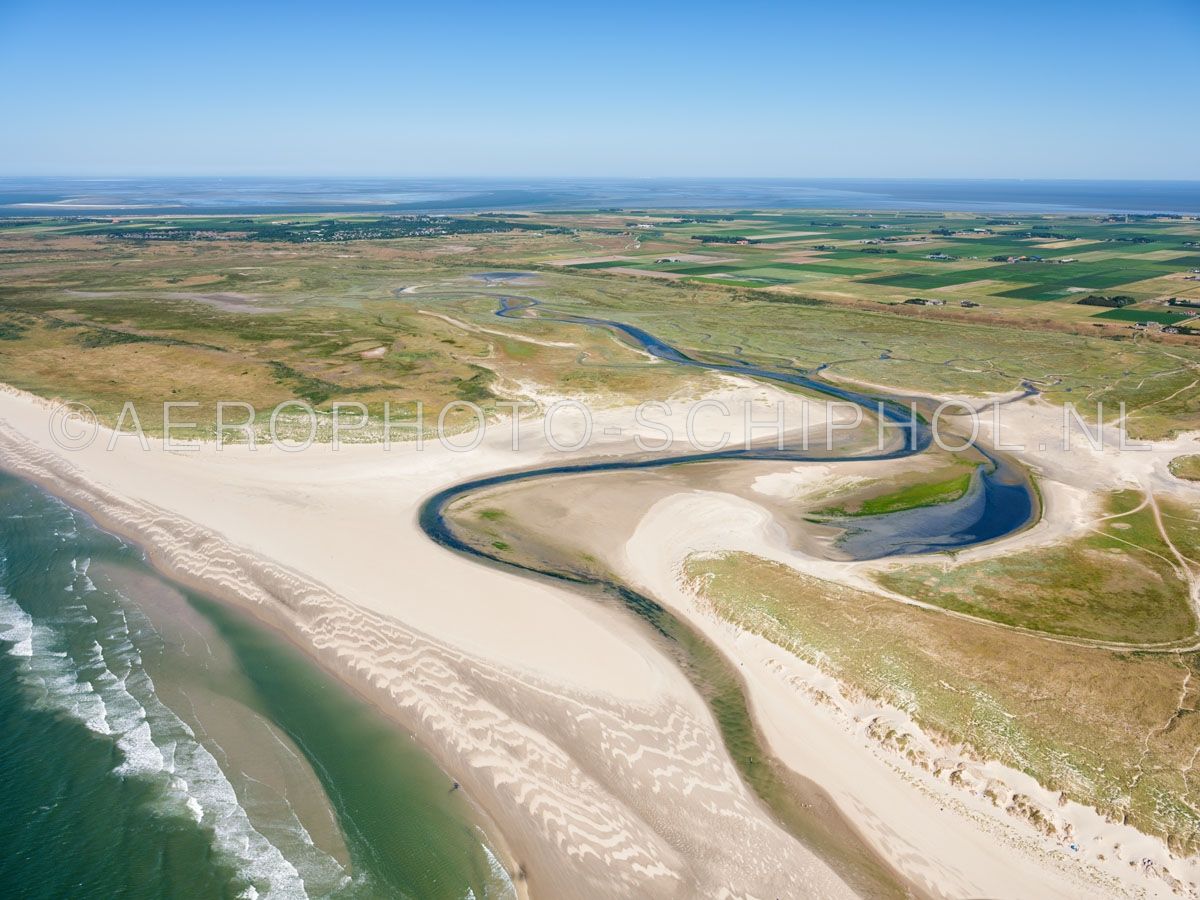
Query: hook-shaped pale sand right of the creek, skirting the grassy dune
{"type": "Point", "coordinates": [949, 839]}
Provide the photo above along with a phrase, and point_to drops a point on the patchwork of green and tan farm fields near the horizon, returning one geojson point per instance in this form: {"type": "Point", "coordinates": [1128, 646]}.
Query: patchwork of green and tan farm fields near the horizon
{"type": "Point", "coordinates": [1036, 266]}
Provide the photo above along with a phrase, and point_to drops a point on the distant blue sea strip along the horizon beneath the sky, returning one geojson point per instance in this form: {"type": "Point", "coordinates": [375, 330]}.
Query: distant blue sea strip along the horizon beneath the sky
{"type": "Point", "coordinates": [247, 196]}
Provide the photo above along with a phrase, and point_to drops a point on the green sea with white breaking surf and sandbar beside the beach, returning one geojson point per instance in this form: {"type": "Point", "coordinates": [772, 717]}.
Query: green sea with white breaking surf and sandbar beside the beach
{"type": "Point", "coordinates": [155, 743]}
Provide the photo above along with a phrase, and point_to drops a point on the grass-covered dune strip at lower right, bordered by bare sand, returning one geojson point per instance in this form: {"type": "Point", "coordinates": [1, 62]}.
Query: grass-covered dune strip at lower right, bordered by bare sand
{"type": "Point", "coordinates": [1115, 730]}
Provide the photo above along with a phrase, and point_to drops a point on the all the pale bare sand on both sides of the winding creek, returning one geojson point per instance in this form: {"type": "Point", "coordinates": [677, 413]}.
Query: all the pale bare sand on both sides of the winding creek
{"type": "Point", "coordinates": [587, 748]}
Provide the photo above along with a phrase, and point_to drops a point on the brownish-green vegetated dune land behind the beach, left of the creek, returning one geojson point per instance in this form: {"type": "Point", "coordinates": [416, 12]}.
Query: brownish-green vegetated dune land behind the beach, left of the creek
{"type": "Point", "coordinates": [103, 322]}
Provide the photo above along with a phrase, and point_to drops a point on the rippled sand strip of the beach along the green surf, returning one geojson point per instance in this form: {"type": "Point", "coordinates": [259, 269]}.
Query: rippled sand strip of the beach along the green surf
{"type": "Point", "coordinates": [597, 799]}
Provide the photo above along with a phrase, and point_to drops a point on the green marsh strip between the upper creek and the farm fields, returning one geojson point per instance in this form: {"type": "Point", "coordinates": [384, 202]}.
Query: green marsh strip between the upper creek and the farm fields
{"type": "Point", "coordinates": [875, 346]}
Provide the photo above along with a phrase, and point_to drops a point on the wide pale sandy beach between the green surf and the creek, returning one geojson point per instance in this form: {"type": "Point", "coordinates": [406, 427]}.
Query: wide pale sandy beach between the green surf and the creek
{"type": "Point", "coordinates": [591, 752]}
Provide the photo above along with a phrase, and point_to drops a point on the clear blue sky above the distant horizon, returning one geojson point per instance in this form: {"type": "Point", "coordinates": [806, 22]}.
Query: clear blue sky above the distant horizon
{"type": "Point", "coordinates": [863, 89]}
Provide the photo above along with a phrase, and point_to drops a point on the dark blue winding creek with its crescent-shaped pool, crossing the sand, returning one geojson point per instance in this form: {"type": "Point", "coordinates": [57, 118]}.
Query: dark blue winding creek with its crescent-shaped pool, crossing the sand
{"type": "Point", "coordinates": [1001, 501]}
